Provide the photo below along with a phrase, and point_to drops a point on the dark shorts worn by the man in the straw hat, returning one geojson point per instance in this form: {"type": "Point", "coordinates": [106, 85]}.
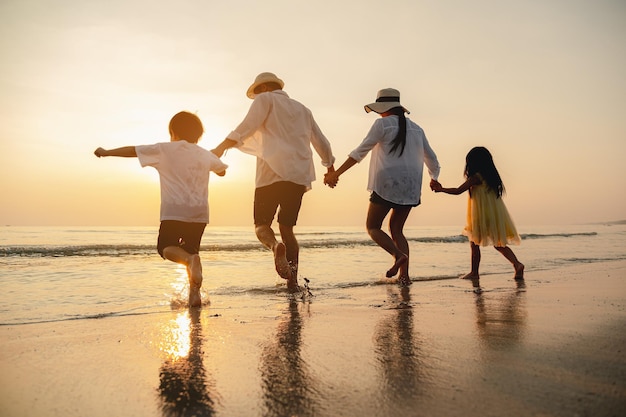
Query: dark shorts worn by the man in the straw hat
{"type": "Point", "coordinates": [284, 194]}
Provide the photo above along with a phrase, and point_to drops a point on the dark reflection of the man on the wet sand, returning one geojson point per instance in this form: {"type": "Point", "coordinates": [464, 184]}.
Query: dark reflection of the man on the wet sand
{"type": "Point", "coordinates": [288, 389]}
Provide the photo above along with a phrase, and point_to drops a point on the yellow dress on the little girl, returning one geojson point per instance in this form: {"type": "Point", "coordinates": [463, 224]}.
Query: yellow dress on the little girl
{"type": "Point", "coordinates": [488, 221]}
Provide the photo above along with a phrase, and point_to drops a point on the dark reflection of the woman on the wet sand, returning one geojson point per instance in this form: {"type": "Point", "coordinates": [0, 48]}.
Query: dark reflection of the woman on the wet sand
{"type": "Point", "coordinates": [398, 355]}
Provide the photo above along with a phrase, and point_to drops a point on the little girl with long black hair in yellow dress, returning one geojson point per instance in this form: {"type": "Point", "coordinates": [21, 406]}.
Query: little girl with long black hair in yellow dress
{"type": "Point", "coordinates": [488, 220]}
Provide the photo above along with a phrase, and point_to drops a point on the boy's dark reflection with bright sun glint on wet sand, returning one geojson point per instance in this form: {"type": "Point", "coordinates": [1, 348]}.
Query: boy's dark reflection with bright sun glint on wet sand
{"type": "Point", "coordinates": [185, 388]}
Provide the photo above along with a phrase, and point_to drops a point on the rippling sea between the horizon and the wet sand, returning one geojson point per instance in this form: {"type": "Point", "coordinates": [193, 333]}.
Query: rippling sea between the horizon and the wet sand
{"type": "Point", "coordinates": [53, 274]}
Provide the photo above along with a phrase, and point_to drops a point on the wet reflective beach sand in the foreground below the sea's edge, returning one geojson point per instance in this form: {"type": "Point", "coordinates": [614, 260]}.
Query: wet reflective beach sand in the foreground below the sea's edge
{"type": "Point", "coordinates": [555, 346]}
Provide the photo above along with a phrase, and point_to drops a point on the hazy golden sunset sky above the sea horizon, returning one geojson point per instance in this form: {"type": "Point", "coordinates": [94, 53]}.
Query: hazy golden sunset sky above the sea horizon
{"type": "Point", "coordinates": [540, 83]}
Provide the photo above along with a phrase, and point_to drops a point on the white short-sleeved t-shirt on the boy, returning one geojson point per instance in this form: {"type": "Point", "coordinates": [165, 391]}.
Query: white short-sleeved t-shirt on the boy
{"type": "Point", "coordinates": [184, 176]}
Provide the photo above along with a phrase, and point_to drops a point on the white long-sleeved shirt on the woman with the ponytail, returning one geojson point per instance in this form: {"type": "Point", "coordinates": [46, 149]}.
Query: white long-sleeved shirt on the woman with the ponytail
{"type": "Point", "coordinates": [397, 178]}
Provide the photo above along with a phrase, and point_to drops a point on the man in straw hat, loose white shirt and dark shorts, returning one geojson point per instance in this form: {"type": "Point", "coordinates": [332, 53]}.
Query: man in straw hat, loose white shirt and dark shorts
{"type": "Point", "coordinates": [279, 131]}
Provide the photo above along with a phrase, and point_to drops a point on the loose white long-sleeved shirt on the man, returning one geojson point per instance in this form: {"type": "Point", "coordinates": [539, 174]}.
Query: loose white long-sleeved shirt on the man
{"type": "Point", "coordinates": [279, 131]}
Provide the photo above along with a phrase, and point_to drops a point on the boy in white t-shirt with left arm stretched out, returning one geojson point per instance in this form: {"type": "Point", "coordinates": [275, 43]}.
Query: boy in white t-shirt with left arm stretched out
{"type": "Point", "coordinates": [184, 169]}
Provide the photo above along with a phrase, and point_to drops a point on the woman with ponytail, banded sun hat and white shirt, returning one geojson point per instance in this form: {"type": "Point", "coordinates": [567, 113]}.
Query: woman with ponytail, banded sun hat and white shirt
{"type": "Point", "coordinates": [399, 151]}
